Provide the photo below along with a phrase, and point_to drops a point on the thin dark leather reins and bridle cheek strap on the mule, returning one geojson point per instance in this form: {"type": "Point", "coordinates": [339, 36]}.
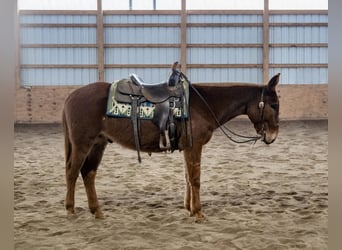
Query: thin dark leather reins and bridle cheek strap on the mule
{"type": "Point", "coordinates": [223, 127]}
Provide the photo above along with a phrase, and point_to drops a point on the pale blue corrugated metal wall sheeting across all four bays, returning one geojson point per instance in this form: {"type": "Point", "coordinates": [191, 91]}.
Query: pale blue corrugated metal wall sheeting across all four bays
{"type": "Point", "coordinates": [61, 49]}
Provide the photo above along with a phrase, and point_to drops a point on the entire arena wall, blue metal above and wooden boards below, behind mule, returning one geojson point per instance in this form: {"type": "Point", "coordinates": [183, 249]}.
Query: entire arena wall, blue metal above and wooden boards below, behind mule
{"type": "Point", "coordinates": [59, 51]}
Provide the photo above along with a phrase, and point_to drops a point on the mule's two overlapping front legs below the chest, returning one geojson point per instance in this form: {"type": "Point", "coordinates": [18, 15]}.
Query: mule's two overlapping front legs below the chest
{"type": "Point", "coordinates": [193, 179]}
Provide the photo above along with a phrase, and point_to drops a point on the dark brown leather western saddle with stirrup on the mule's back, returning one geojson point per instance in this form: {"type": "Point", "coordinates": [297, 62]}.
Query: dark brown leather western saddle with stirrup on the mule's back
{"type": "Point", "coordinates": [165, 96]}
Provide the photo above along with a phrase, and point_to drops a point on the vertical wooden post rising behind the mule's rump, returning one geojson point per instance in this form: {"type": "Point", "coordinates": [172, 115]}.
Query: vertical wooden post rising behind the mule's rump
{"type": "Point", "coordinates": [99, 40]}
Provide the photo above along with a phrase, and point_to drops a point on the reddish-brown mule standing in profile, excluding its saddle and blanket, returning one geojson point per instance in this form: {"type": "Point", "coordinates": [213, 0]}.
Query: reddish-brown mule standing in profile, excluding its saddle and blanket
{"type": "Point", "coordinates": [88, 131]}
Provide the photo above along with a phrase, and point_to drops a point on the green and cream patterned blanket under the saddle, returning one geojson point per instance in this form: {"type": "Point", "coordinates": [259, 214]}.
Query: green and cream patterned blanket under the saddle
{"type": "Point", "coordinates": [146, 109]}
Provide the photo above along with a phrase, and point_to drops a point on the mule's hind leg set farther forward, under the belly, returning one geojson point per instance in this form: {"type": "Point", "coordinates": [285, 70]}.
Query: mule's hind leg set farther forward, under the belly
{"type": "Point", "coordinates": [88, 172]}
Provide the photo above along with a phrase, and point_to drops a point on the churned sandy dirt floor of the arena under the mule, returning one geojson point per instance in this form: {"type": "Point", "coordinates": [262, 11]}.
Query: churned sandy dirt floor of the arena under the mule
{"type": "Point", "coordinates": [255, 196]}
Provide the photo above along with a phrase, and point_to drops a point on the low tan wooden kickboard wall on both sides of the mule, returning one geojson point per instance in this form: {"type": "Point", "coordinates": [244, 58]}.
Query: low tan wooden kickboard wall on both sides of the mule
{"type": "Point", "coordinates": [44, 104]}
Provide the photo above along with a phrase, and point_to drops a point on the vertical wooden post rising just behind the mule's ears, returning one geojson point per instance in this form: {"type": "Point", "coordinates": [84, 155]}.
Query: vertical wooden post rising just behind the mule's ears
{"type": "Point", "coordinates": [266, 40]}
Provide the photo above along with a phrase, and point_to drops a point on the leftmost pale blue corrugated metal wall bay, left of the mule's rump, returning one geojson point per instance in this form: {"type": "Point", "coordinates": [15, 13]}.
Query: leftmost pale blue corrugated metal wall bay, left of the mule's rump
{"type": "Point", "coordinates": [48, 48]}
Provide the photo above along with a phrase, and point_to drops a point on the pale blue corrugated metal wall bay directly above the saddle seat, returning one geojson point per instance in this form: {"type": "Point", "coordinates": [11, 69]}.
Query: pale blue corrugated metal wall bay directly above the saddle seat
{"type": "Point", "coordinates": [122, 57]}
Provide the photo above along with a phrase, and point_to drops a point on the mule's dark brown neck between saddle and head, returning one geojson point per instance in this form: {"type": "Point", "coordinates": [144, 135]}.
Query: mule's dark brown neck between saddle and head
{"type": "Point", "coordinates": [228, 102]}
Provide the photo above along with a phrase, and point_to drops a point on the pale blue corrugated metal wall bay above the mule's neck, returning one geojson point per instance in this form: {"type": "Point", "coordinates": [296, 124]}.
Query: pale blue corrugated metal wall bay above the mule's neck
{"type": "Point", "coordinates": [220, 37]}
